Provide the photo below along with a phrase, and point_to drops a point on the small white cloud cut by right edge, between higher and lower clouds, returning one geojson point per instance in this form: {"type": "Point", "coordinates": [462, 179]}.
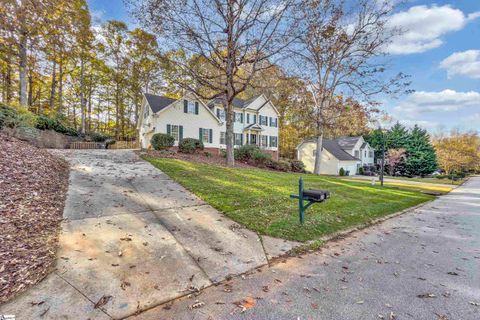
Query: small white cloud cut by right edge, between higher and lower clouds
{"type": "Point", "coordinates": [466, 63]}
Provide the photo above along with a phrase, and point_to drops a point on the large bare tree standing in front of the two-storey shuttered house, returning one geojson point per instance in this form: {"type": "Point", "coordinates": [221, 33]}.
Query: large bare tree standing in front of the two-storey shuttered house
{"type": "Point", "coordinates": [226, 43]}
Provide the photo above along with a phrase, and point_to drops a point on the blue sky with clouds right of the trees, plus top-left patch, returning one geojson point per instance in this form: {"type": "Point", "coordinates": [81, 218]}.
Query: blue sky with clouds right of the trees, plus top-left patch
{"type": "Point", "coordinates": [440, 51]}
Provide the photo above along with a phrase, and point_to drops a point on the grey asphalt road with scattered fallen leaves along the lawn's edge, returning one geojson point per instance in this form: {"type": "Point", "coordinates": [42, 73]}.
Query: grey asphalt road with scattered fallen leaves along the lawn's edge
{"type": "Point", "coordinates": [421, 265]}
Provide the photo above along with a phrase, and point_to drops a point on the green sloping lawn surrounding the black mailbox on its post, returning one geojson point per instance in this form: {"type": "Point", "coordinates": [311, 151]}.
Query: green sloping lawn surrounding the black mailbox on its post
{"type": "Point", "coordinates": [259, 199]}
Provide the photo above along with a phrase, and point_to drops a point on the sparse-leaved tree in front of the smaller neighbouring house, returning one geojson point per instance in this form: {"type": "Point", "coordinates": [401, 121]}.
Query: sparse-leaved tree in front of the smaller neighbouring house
{"type": "Point", "coordinates": [340, 51]}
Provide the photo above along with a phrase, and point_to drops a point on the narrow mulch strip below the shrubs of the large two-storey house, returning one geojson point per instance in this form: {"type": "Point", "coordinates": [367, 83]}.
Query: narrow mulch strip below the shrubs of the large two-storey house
{"type": "Point", "coordinates": [200, 157]}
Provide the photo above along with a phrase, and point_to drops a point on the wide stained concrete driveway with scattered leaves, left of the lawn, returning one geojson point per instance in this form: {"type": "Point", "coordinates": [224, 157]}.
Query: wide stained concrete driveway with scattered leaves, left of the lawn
{"type": "Point", "coordinates": [133, 239]}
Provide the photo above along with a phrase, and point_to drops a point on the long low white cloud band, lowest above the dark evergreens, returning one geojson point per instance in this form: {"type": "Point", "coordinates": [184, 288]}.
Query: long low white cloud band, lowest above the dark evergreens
{"type": "Point", "coordinates": [436, 102]}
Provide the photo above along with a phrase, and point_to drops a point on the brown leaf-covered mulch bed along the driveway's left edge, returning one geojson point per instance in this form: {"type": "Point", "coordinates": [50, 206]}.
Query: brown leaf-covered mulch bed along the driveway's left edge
{"type": "Point", "coordinates": [33, 185]}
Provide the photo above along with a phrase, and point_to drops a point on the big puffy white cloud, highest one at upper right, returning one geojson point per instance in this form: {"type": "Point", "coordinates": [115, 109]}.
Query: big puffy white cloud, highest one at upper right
{"type": "Point", "coordinates": [424, 26]}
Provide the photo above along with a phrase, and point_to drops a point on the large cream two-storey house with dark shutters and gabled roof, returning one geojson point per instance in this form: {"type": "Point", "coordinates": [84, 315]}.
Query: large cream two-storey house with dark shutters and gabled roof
{"type": "Point", "coordinates": [255, 121]}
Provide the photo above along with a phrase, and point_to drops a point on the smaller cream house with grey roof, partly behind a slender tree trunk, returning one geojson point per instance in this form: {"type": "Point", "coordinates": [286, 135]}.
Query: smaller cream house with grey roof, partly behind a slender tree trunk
{"type": "Point", "coordinates": [349, 153]}
